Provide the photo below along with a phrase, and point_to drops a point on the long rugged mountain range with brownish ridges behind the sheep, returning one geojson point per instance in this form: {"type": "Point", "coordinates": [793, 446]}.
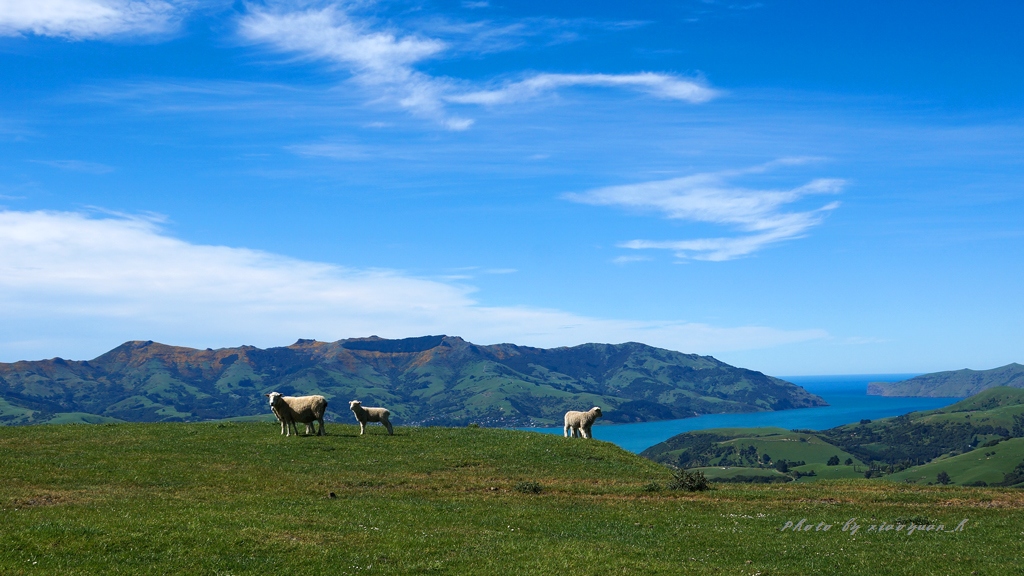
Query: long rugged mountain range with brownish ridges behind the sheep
{"type": "Point", "coordinates": [430, 381]}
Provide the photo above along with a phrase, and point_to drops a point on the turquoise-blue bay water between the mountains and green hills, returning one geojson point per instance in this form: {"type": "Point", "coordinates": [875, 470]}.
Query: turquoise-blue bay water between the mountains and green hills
{"type": "Point", "coordinates": [847, 398]}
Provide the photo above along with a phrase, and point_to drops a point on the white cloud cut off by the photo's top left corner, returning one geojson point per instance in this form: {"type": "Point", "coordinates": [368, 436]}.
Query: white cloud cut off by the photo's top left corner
{"type": "Point", "coordinates": [90, 19]}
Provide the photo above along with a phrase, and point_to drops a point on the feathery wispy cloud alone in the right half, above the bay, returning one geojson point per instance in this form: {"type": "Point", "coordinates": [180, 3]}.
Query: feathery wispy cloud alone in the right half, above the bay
{"type": "Point", "coordinates": [712, 198]}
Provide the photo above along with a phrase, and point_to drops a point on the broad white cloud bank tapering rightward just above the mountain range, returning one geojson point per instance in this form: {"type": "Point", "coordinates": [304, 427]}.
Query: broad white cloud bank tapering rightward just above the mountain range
{"type": "Point", "coordinates": [78, 285]}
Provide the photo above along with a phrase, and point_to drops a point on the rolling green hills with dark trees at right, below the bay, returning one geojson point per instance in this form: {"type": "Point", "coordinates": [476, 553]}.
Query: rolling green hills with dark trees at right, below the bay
{"type": "Point", "coordinates": [978, 441]}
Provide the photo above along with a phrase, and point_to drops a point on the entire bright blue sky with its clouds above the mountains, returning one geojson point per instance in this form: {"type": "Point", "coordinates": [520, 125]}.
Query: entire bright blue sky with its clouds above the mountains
{"type": "Point", "coordinates": [798, 188]}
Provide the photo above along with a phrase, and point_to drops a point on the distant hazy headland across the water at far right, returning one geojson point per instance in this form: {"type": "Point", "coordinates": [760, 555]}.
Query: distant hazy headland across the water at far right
{"type": "Point", "coordinates": [956, 384]}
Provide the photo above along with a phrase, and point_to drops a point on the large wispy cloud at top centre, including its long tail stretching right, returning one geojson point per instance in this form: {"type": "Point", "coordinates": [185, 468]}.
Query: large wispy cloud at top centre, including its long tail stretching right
{"type": "Point", "coordinates": [383, 62]}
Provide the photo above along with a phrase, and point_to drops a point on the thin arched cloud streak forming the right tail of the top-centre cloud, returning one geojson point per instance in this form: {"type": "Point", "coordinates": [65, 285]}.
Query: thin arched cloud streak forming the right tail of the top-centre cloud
{"type": "Point", "coordinates": [661, 86]}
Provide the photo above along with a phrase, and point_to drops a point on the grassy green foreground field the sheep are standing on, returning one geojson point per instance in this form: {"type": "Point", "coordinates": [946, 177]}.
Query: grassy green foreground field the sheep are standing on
{"type": "Point", "coordinates": [238, 499]}
